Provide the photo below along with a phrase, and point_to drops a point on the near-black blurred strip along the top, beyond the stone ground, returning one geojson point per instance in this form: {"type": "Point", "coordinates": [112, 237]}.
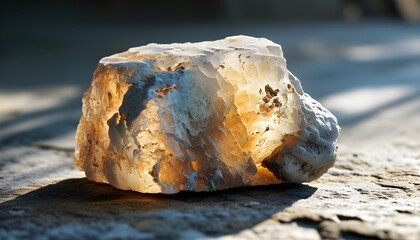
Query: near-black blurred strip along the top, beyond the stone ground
{"type": "Point", "coordinates": [112, 11]}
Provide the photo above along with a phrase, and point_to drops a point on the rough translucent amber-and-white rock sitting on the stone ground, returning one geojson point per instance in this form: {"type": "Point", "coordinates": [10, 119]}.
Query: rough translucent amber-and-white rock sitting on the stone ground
{"type": "Point", "coordinates": [204, 116]}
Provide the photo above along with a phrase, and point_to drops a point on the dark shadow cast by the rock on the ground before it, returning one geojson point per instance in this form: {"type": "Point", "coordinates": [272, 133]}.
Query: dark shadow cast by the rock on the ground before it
{"type": "Point", "coordinates": [84, 209]}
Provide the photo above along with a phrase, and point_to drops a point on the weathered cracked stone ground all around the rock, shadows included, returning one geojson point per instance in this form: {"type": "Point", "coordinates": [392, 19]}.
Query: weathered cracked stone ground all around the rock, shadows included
{"type": "Point", "coordinates": [368, 75]}
